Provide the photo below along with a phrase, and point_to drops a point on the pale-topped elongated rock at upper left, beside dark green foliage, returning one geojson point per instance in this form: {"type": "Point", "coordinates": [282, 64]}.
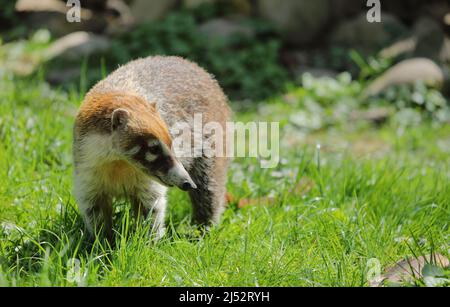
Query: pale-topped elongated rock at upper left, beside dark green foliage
{"type": "Point", "coordinates": [76, 45]}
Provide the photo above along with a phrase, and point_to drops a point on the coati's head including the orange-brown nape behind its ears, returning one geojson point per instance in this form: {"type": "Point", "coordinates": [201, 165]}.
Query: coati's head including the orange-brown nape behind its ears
{"type": "Point", "coordinates": [141, 137]}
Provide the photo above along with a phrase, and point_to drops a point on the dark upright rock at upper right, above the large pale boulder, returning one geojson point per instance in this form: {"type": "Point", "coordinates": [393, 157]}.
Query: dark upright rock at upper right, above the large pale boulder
{"type": "Point", "coordinates": [430, 38]}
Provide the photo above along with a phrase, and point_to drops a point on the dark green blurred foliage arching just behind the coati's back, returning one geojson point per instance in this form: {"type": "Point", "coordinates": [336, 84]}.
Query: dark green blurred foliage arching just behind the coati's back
{"type": "Point", "coordinates": [246, 66]}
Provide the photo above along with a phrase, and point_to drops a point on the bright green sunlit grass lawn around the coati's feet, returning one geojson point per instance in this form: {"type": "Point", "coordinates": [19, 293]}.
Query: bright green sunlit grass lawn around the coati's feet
{"type": "Point", "coordinates": [316, 220]}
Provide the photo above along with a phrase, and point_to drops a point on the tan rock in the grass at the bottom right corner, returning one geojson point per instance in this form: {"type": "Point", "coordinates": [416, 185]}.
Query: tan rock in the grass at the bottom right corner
{"type": "Point", "coordinates": [406, 271]}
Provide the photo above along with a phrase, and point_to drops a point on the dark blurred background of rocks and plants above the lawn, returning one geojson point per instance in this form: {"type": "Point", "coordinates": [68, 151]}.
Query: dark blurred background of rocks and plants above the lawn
{"type": "Point", "coordinates": [253, 47]}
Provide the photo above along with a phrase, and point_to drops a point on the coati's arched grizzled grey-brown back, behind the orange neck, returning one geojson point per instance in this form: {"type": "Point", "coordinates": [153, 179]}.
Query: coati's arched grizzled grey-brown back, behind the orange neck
{"type": "Point", "coordinates": [179, 88]}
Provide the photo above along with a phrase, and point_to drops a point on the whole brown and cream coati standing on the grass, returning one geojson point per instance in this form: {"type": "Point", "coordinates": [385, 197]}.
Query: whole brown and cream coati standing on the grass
{"type": "Point", "coordinates": [122, 143]}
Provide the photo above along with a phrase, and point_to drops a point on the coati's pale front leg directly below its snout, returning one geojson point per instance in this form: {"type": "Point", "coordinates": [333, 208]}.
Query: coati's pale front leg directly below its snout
{"type": "Point", "coordinates": [149, 205]}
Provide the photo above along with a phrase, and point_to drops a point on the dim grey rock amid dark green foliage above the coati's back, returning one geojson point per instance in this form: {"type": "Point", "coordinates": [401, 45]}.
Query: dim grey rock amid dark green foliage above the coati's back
{"type": "Point", "coordinates": [225, 28]}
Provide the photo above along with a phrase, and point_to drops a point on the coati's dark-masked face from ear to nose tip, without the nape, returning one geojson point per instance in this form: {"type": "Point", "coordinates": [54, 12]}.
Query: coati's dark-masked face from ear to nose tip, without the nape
{"type": "Point", "coordinates": [148, 149]}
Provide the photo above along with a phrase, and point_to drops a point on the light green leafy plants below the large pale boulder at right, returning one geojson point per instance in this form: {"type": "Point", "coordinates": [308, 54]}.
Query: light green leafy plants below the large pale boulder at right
{"type": "Point", "coordinates": [327, 101]}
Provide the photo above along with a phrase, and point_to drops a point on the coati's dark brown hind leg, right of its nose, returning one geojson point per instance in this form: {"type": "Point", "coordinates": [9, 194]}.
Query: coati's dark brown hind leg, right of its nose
{"type": "Point", "coordinates": [208, 200]}
